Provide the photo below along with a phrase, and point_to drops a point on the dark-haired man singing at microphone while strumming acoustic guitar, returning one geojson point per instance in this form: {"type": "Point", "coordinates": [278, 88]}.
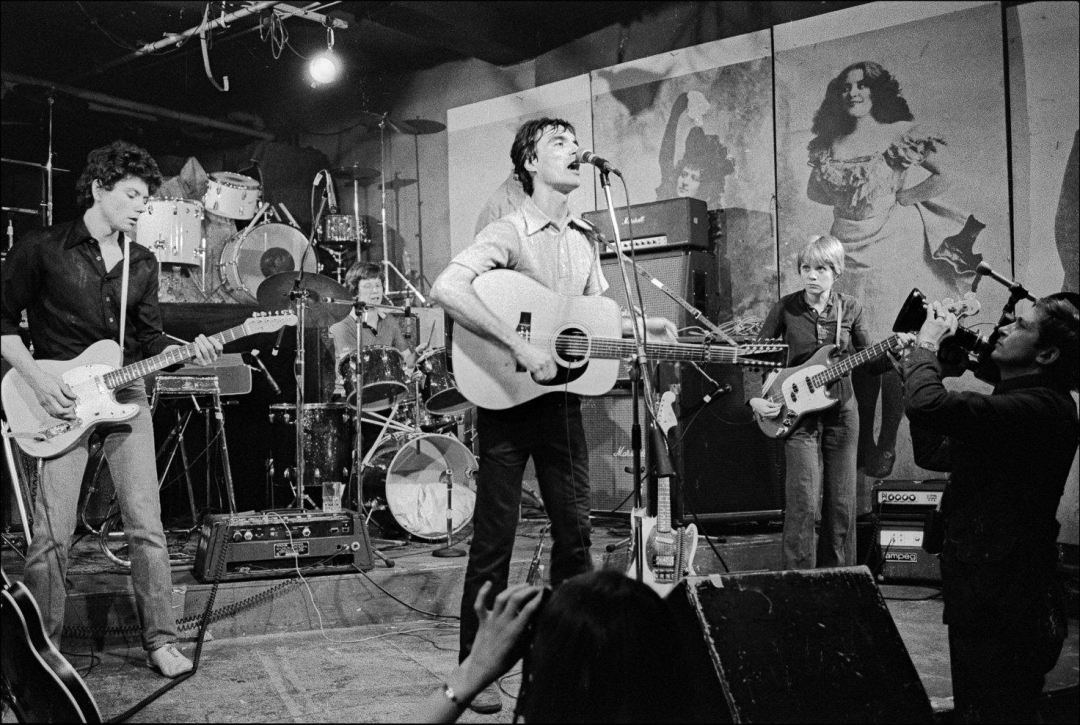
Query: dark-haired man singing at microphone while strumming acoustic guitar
{"type": "Point", "coordinates": [544, 241]}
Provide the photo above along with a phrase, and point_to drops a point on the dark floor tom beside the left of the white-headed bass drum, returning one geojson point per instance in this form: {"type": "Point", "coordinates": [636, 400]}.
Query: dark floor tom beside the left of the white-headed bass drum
{"type": "Point", "coordinates": [328, 444]}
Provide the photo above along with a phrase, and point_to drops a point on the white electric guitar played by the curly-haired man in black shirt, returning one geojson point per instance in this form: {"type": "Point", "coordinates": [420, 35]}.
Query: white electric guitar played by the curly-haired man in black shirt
{"type": "Point", "coordinates": [93, 378]}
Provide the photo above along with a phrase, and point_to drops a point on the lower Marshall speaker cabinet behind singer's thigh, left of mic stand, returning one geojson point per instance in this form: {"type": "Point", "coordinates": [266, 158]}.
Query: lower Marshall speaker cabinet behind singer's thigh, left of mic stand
{"type": "Point", "coordinates": [607, 420]}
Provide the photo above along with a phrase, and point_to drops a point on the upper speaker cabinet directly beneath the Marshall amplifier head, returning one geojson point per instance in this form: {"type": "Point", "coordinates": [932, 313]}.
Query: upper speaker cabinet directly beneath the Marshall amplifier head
{"type": "Point", "coordinates": [691, 275]}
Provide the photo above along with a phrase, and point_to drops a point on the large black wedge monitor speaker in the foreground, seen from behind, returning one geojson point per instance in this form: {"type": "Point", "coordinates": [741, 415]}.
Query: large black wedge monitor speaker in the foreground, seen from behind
{"type": "Point", "coordinates": [800, 647]}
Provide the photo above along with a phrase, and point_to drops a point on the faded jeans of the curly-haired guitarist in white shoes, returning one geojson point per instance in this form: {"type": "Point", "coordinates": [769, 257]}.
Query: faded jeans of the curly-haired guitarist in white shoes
{"type": "Point", "coordinates": [130, 449]}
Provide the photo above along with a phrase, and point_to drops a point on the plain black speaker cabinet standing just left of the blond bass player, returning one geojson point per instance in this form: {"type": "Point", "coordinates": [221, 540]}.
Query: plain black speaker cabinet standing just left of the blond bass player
{"type": "Point", "coordinates": [730, 471]}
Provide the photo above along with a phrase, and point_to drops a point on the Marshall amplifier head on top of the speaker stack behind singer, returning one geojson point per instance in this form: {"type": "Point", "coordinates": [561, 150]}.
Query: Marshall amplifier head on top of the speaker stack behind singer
{"type": "Point", "coordinates": [660, 225]}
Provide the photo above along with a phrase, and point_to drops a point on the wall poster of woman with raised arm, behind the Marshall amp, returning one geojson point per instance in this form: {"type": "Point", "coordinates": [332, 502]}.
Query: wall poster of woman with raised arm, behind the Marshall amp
{"type": "Point", "coordinates": [698, 123]}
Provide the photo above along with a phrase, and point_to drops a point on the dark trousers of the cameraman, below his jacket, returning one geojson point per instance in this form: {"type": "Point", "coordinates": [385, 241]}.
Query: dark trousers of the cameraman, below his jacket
{"type": "Point", "coordinates": [996, 678]}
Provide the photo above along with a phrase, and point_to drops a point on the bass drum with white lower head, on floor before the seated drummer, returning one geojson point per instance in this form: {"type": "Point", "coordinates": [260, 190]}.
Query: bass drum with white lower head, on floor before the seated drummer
{"type": "Point", "coordinates": [407, 472]}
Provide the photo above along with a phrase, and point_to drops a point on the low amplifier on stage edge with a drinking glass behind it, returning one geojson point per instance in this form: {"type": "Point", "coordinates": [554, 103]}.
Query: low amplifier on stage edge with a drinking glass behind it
{"type": "Point", "coordinates": [274, 544]}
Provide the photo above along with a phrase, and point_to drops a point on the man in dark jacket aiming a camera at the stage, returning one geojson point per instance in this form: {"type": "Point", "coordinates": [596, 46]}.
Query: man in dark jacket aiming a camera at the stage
{"type": "Point", "coordinates": [1009, 454]}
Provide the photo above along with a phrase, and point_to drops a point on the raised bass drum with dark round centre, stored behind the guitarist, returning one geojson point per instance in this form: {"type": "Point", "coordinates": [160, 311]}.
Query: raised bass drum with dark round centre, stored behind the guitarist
{"type": "Point", "coordinates": [252, 256]}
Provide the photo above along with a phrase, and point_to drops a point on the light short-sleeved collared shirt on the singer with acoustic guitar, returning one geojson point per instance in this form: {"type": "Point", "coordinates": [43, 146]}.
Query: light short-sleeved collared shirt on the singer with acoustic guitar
{"type": "Point", "coordinates": [558, 256]}
